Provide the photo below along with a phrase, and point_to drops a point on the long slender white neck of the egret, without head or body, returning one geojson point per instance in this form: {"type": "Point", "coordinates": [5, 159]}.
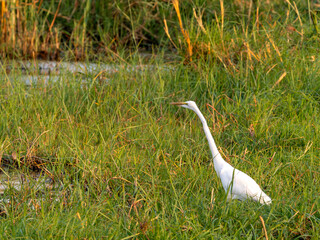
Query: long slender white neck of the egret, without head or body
{"type": "Point", "coordinates": [217, 159]}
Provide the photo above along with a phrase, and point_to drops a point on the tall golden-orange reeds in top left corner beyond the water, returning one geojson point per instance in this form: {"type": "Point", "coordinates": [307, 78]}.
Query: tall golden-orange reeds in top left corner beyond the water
{"type": "Point", "coordinates": [23, 34]}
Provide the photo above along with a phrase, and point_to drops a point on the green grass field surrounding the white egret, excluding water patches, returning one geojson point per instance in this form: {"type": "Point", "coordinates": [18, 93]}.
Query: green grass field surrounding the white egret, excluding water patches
{"type": "Point", "coordinates": [127, 165]}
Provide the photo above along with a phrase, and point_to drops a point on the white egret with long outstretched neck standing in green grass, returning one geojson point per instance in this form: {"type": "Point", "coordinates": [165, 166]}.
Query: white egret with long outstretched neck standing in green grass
{"type": "Point", "coordinates": [237, 184]}
